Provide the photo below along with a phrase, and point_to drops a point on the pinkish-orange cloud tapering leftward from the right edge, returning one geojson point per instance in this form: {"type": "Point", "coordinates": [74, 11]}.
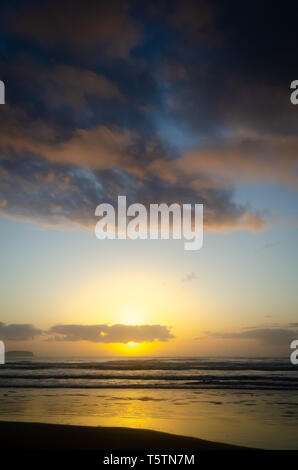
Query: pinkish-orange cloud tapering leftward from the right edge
{"type": "Point", "coordinates": [245, 159]}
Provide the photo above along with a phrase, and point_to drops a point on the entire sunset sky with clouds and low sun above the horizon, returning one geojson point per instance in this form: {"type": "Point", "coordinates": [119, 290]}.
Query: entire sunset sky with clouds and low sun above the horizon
{"type": "Point", "coordinates": [176, 102]}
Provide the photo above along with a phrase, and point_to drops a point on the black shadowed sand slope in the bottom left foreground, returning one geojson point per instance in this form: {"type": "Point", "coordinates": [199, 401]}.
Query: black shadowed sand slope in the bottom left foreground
{"type": "Point", "coordinates": [40, 436]}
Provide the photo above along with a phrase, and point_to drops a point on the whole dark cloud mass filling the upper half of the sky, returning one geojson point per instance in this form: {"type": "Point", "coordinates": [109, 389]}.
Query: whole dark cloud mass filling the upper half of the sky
{"type": "Point", "coordinates": [87, 80]}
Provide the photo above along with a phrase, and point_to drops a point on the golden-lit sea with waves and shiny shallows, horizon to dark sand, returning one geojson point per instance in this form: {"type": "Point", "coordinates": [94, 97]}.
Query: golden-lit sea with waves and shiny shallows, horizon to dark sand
{"type": "Point", "coordinates": [246, 401]}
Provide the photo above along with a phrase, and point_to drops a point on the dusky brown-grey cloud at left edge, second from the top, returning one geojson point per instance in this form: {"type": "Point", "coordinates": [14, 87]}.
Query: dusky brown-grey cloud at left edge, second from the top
{"type": "Point", "coordinates": [63, 86]}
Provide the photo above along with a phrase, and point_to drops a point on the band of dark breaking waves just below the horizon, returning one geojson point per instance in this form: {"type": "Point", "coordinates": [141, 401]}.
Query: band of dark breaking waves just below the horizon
{"type": "Point", "coordinates": [174, 373]}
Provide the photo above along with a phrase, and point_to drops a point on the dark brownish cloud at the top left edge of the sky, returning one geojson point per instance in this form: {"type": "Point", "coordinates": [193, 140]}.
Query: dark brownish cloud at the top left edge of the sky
{"type": "Point", "coordinates": [79, 26]}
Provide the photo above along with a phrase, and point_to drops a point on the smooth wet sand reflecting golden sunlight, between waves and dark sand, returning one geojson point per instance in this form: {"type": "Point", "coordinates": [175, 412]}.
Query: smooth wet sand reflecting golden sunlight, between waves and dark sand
{"type": "Point", "coordinates": [237, 417]}
